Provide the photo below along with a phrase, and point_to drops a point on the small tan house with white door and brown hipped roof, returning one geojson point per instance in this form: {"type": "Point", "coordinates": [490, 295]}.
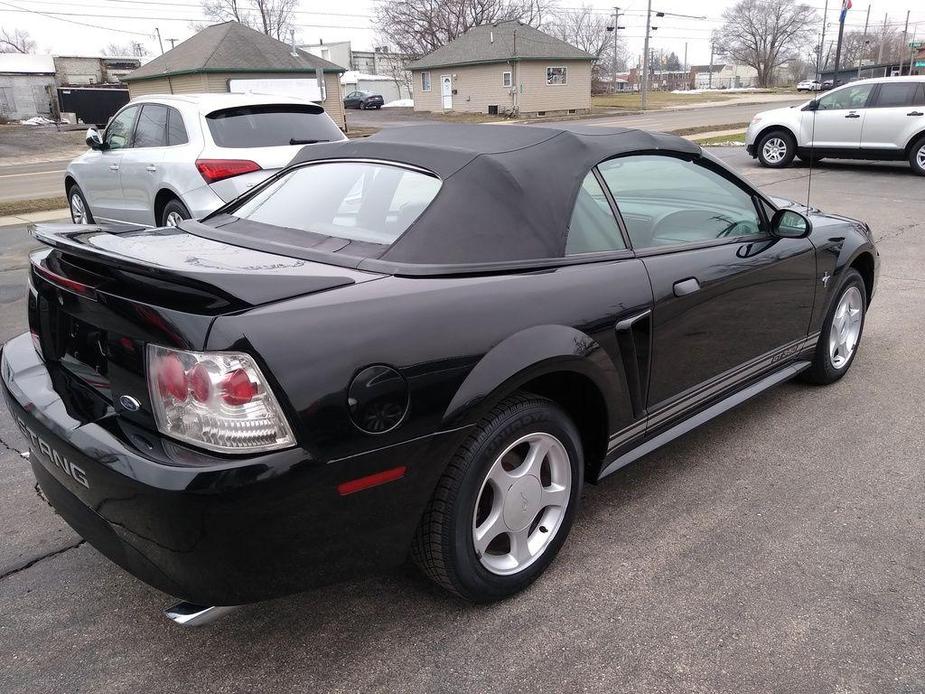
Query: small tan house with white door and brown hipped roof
{"type": "Point", "coordinates": [506, 67]}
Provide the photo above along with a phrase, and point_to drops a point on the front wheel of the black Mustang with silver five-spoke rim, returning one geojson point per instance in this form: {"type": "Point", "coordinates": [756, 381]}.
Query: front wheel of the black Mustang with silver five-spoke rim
{"type": "Point", "coordinates": [841, 332]}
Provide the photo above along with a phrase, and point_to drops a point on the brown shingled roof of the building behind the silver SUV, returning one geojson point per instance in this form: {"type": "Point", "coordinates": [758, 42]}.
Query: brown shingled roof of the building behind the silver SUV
{"type": "Point", "coordinates": [230, 47]}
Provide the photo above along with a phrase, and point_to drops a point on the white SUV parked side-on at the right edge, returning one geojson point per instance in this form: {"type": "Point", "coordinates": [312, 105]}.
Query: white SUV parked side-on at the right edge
{"type": "Point", "coordinates": [881, 119]}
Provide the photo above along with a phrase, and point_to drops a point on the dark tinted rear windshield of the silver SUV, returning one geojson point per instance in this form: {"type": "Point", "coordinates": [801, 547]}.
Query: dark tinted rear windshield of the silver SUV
{"type": "Point", "coordinates": [271, 126]}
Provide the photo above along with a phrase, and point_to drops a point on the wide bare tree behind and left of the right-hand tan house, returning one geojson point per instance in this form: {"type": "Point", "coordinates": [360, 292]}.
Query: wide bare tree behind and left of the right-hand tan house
{"type": "Point", "coordinates": [417, 27]}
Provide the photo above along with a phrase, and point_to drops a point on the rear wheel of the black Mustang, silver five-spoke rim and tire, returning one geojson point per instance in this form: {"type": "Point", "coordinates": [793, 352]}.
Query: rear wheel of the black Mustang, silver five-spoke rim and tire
{"type": "Point", "coordinates": [506, 502]}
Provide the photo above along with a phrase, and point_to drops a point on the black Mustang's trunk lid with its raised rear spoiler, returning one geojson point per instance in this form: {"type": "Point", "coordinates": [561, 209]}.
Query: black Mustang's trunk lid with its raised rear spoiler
{"type": "Point", "coordinates": [169, 257]}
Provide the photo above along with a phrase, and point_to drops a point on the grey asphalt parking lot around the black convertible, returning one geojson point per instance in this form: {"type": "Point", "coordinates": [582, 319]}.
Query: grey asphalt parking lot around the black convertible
{"type": "Point", "coordinates": [778, 548]}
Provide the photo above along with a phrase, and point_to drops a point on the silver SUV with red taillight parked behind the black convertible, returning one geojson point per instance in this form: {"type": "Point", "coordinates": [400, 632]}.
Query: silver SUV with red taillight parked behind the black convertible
{"type": "Point", "coordinates": [165, 158]}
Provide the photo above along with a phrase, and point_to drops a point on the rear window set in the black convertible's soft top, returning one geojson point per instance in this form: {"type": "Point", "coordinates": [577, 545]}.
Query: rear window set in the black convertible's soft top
{"type": "Point", "coordinates": [357, 201]}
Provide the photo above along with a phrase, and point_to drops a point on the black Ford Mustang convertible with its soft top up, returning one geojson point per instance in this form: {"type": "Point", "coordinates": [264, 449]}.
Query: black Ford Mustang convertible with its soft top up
{"type": "Point", "coordinates": [420, 344]}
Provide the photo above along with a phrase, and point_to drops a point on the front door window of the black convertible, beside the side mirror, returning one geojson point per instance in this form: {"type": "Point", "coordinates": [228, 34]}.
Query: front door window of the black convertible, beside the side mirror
{"type": "Point", "coordinates": [667, 201]}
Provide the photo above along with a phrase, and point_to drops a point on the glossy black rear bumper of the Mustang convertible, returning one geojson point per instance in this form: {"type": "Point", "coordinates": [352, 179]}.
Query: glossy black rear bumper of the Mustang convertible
{"type": "Point", "coordinates": [215, 531]}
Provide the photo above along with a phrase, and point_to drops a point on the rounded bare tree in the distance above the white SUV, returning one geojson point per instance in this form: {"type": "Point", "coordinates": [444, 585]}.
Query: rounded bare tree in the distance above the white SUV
{"type": "Point", "coordinates": [765, 34]}
